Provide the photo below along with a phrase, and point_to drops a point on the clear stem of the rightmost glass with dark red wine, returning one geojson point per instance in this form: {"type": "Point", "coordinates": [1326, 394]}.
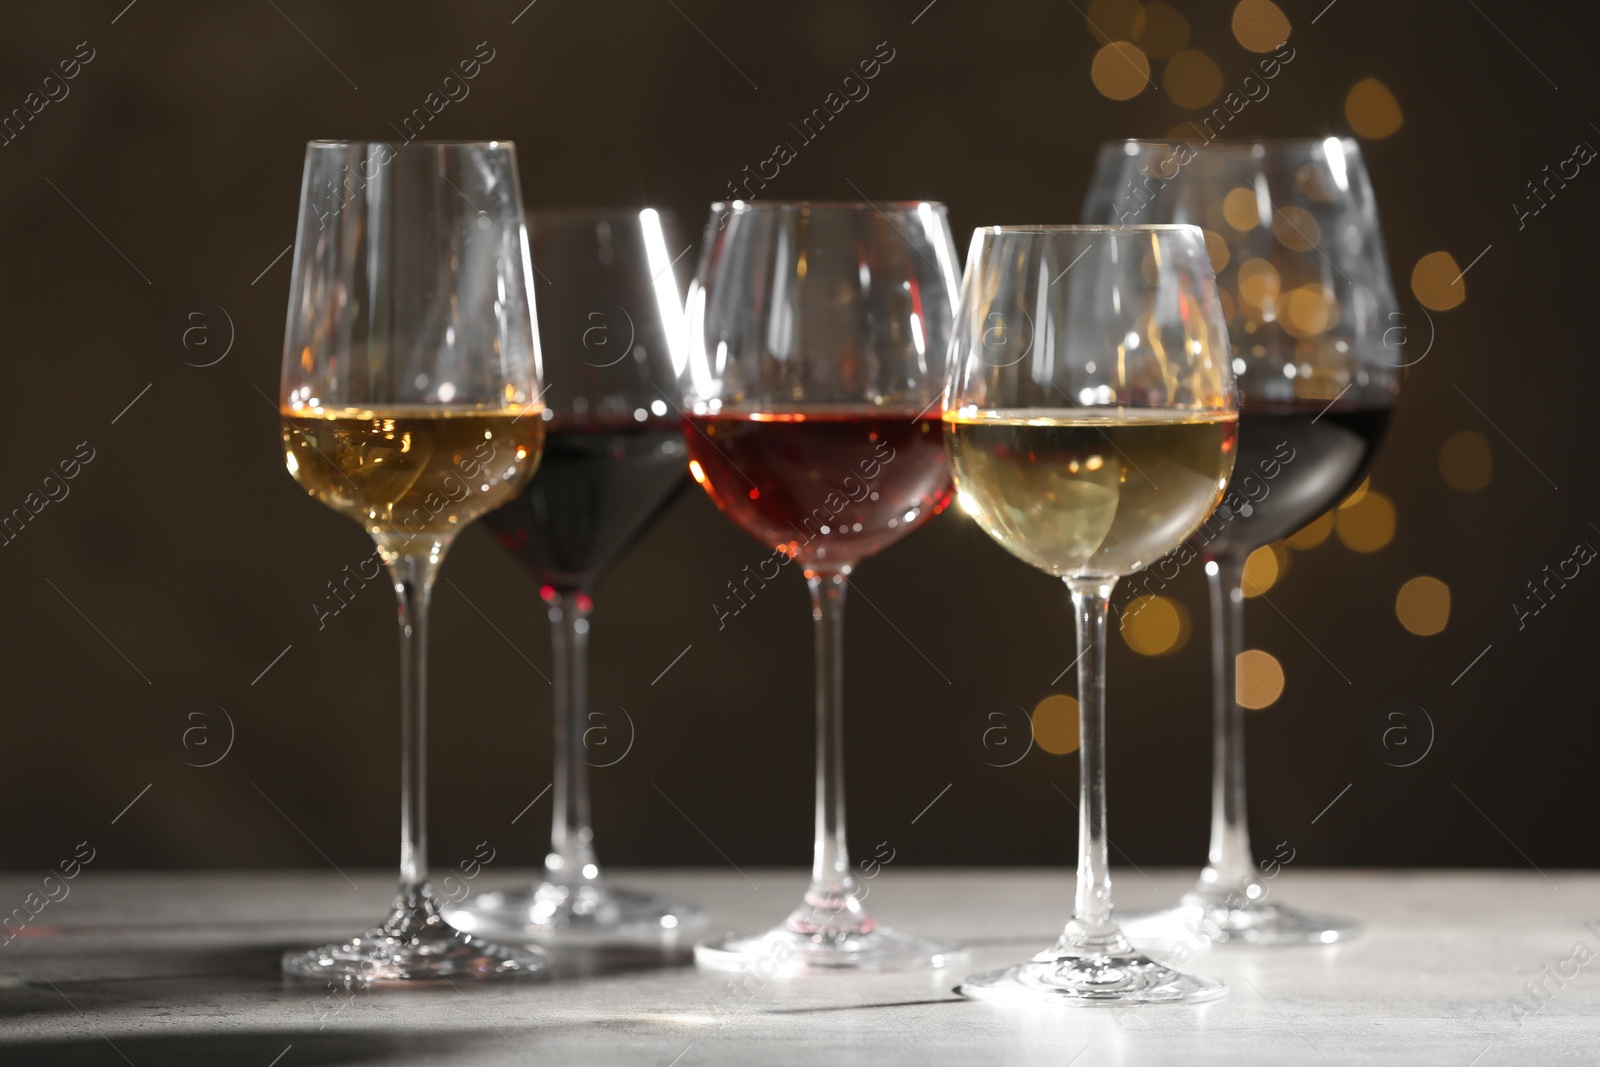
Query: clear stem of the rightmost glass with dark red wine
{"type": "Point", "coordinates": [1230, 866]}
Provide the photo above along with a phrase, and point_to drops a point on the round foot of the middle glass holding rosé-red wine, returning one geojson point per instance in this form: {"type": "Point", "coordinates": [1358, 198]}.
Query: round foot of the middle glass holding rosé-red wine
{"type": "Point", "coordinates": [782, 951]}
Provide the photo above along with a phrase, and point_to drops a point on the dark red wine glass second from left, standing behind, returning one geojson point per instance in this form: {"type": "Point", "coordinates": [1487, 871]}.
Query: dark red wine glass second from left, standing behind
{"type": "Point", "coordinates": [612, 334]}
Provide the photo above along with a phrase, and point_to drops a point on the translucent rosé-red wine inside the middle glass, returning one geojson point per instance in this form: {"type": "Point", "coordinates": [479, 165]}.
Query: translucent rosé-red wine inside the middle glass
{"type": "Point", "coordinates": [831, 486]}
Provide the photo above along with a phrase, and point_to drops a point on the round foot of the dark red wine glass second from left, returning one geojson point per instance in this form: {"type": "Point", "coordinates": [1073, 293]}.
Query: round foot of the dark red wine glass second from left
{"type": "Point", "coordinates": [586, 914]}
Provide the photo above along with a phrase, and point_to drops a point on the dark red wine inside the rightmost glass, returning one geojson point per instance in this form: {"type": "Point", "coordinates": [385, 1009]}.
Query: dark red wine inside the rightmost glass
{"type": "Point", "coordinates": [1295, 462]}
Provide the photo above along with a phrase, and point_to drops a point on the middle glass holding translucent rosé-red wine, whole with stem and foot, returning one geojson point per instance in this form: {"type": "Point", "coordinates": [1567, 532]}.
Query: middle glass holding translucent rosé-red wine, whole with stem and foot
{"type": "Point", "coordinates": [817, 358]}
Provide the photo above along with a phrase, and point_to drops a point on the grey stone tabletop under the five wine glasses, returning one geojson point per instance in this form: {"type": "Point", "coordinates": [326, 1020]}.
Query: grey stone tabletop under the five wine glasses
{"type": "Point", "coordinates": [175, 970]}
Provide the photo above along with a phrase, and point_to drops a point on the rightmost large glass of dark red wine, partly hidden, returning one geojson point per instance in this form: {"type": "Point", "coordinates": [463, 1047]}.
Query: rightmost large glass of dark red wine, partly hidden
{"type": "Point", "coordinates": [1300, 260]}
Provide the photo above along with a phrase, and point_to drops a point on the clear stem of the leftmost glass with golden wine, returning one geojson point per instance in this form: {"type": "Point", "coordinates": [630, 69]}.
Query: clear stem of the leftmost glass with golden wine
{"type": "Point", "coordinates": [414, 577]}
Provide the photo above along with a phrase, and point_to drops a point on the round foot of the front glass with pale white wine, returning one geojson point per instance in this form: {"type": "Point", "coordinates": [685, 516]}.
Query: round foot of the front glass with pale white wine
{"type": "Point", "coordinates": [1122, 978]}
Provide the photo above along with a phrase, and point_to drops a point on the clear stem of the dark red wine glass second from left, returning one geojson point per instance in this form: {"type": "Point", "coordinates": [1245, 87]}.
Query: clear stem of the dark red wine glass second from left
{"type": "Point", "coordinates": [572, 858]}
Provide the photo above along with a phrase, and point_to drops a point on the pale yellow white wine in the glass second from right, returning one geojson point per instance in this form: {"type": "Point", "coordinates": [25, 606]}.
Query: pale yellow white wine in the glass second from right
{"type": "Point", "coordinates": [1090, 494]}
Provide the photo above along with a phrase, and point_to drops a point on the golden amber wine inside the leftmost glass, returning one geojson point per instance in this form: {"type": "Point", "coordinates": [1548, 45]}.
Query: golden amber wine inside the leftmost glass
{"type": "Point", "coordinates": [415, 471]}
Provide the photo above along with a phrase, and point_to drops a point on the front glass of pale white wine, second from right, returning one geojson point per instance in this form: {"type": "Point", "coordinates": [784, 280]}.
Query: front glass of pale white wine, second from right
{"type": "Point", "coordinates": [1090, 422]}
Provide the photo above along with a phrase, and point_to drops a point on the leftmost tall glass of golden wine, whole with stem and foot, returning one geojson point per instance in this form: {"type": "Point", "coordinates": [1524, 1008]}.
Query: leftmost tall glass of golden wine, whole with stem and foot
{"type": "Point", "coordinates": [409, 401]}
